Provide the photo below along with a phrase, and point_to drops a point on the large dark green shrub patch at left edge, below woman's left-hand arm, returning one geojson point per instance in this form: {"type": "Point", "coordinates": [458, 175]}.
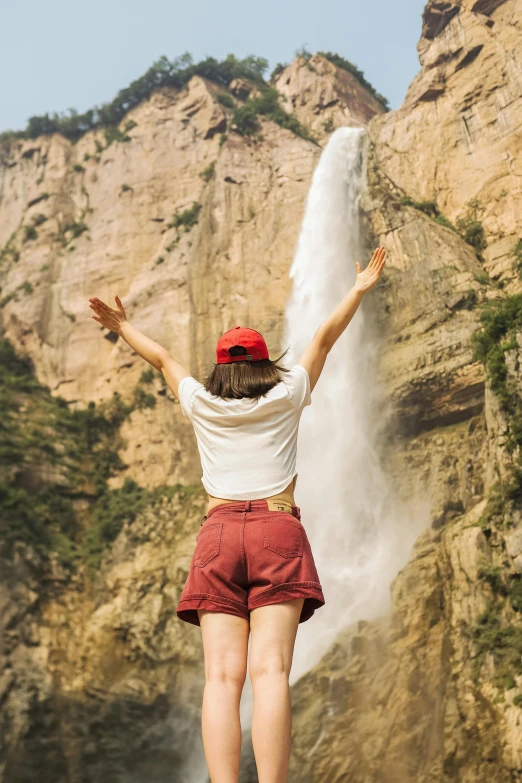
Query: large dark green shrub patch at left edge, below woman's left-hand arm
{"type": "Point", "coordinates": [49, 457]}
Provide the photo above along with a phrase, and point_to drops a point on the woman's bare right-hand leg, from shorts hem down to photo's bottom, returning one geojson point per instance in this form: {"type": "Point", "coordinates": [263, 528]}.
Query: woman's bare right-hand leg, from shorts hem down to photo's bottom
{"type": "Point", "coordinates": [273, 630]}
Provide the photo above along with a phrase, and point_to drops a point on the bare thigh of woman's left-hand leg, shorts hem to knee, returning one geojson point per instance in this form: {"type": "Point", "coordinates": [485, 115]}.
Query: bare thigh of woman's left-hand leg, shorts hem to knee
{"type": "Point", "coordinates": [225, 645]}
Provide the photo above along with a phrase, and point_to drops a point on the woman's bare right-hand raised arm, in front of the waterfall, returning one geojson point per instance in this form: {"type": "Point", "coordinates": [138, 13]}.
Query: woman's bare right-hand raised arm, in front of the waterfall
{"type": "Point", "coordinates": [314, 355]}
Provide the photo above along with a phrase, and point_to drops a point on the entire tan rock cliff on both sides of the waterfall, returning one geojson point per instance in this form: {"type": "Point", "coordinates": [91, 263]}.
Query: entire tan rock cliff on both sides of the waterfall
{"type": "Point", "coordinates": [92, 669]}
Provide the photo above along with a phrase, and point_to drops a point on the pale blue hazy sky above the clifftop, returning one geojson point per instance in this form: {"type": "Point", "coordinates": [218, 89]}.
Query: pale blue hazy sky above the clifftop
{"type": "Point", "coordinates": [57, 55]}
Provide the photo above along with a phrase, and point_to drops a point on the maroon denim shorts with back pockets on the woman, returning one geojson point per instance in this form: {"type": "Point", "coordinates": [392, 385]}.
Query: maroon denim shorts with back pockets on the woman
{"type": "Point", "coordinates": [248, 556]}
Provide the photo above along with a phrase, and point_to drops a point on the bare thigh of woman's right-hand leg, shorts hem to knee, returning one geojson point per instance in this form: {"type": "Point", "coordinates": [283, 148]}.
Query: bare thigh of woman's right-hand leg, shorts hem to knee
{"type": "Point", "coordinates": [273, 631]}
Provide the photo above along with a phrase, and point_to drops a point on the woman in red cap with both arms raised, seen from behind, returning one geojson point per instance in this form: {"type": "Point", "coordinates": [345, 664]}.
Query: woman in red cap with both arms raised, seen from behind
{"type": "Point", "coordinates": [252, 571]}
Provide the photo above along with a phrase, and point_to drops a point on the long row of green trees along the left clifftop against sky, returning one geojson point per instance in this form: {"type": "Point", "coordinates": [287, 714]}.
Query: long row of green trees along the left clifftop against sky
{"type": "Point", "coordinates": [163, 73]}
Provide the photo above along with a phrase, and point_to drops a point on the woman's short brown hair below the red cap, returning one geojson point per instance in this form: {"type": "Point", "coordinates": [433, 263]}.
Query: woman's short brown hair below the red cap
{"type": "Point", "coordinates": [244, 378]}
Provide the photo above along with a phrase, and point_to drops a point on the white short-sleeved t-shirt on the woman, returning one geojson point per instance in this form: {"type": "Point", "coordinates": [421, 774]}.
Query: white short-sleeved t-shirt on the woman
{"type": "Point", "coordinates": [247, 447]}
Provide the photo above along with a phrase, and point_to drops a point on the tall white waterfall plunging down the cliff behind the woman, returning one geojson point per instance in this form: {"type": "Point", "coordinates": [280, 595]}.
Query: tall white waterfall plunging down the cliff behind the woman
{"type": "Point", "coordinates": [361, 534]}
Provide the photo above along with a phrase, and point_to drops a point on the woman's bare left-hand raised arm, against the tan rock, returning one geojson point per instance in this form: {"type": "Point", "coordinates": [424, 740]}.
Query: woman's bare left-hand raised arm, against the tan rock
{"type": "Point", "coordinates": [153, 353]}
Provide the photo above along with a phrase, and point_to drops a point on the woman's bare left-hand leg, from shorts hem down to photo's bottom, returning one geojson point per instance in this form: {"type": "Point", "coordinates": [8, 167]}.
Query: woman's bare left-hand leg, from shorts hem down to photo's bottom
{"type": "Point", "coordinates": [225, 646]}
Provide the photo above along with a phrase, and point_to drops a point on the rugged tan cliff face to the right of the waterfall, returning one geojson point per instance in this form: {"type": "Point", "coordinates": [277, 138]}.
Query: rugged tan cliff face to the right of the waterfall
{"type": "Point", "coordinates": [434, 691]}
